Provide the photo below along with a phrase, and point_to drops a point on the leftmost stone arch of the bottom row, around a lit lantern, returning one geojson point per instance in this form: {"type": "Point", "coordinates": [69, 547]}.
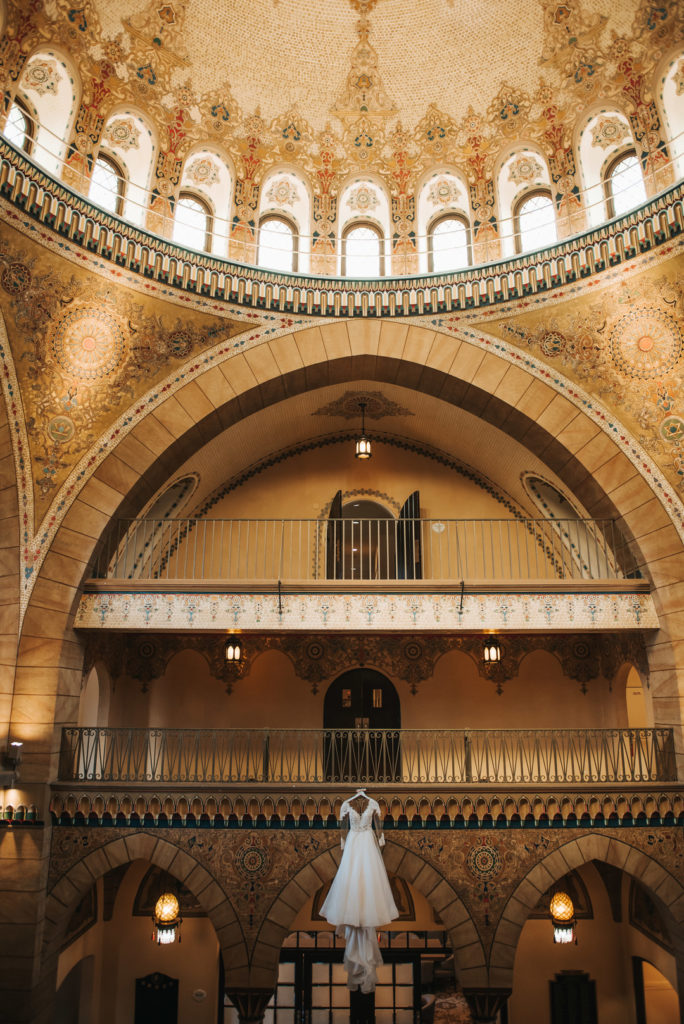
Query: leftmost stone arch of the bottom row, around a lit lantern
{"type": "Point", "coordinates": [65, 895]}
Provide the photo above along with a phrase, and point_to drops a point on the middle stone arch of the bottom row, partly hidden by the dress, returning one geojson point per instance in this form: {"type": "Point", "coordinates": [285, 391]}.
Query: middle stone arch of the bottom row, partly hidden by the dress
{"type": "Point", "coordinates": [469, 957]}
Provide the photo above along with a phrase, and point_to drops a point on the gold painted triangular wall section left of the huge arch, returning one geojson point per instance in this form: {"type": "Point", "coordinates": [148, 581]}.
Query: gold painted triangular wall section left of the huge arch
{"type": "Point", "coordinates": [84, 352]}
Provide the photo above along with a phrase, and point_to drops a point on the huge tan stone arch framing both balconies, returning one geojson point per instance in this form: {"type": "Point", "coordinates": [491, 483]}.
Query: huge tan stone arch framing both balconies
{"type": "Point", "coordinates": [588, 457]}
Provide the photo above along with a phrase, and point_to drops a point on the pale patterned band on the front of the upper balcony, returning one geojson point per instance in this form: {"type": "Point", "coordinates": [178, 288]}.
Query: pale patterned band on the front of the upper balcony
{"type": "Point", "coordinates": [322, 612]}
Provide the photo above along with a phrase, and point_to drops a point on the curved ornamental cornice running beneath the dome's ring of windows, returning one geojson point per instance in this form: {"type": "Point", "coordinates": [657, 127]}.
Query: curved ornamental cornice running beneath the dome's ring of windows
{"type": "Point", "coordinates": [52, 204]}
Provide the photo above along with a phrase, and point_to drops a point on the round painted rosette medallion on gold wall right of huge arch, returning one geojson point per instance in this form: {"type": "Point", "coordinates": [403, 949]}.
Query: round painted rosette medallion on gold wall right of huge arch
{"type": "Point", "coordinates": [647, 343]}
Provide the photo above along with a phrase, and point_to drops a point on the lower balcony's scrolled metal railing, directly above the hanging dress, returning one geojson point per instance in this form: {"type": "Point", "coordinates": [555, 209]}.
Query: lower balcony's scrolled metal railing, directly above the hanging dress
{"type": "Point", "coordinates": [426, 757]}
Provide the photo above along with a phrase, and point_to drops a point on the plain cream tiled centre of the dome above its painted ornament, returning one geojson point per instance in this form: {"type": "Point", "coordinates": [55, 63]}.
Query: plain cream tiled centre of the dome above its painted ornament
{"type": "Point", "coordinates": [281, 55]}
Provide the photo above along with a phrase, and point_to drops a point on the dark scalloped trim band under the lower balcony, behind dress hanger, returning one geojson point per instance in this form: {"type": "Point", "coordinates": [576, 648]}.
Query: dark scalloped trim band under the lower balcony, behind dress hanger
{"type": "Point", "coordinates": [416, 809]}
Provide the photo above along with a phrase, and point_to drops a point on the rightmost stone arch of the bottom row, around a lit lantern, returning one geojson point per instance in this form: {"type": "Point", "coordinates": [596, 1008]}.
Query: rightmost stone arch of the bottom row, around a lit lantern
{"type": "Point", "coordinates": [666, 889]}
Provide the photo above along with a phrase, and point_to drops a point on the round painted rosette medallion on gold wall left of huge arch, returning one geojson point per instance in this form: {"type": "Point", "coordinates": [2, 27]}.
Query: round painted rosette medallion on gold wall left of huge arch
{"type": "Point", "coordinates": [89, 344]}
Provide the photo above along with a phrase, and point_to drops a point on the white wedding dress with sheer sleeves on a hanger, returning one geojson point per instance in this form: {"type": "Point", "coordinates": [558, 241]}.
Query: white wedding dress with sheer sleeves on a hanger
{"type": "Point", "coordinates": [360, 899]}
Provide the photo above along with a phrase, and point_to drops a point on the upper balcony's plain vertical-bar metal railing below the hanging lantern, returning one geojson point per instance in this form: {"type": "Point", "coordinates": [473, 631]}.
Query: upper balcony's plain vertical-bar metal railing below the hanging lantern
{"type": "Point", "coordinates": [301, 550]}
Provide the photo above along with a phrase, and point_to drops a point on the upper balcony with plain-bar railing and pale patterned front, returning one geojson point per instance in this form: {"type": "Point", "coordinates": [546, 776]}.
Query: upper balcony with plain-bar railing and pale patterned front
{"type": "Point", "coordinates": [509, 574]}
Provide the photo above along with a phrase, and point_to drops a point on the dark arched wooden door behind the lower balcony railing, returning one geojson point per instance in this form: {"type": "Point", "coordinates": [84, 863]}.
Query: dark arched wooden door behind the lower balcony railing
{"type": "Point", "coordinates": [362, 719]}
